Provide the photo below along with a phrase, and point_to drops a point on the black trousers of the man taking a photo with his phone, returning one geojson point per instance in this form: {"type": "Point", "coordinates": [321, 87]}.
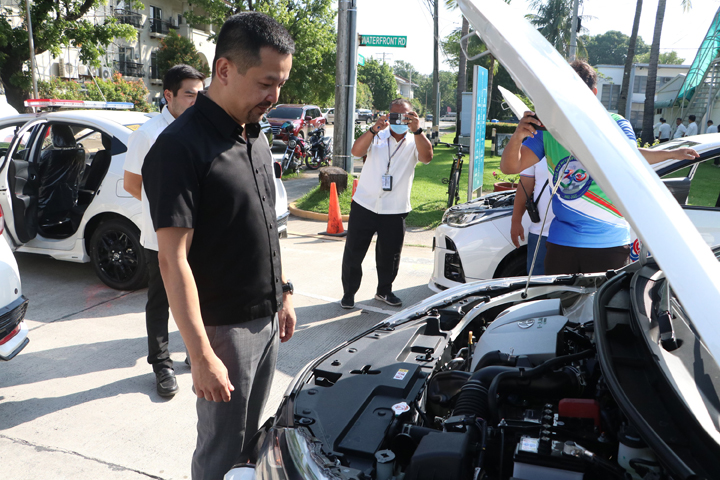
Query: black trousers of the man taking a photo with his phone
{"type": "Point", "coordinates": [361, 228]}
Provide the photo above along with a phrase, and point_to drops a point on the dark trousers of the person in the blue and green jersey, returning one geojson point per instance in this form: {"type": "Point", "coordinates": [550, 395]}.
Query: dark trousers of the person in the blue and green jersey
{"type": "Point", "coordinates": [560, 259]}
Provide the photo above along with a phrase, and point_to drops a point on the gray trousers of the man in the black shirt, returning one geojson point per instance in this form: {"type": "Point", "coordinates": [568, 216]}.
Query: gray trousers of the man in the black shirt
{"type": "Point", "coordinates": [249, 351]}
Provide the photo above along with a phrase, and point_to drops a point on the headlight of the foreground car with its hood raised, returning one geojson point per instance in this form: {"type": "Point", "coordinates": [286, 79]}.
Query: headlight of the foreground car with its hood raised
{"type": "Point", "coordinates": [292, 453]}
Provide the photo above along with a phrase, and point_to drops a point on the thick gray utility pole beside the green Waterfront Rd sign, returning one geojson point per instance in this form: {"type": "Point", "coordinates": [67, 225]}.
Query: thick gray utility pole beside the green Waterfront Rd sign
{"type": "Point", "coordinates": [340, 151]}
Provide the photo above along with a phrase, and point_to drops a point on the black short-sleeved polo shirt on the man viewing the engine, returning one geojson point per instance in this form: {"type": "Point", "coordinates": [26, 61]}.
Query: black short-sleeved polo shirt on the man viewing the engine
{"type": "Point", "coordinates": [202, 174]}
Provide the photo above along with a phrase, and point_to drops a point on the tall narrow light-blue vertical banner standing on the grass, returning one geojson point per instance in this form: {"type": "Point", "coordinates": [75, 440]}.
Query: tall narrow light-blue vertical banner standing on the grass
{"type": "Point", "coordinates": [477, 134]}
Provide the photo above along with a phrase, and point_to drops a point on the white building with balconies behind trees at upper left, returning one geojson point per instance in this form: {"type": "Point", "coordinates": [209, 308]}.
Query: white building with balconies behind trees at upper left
{"type": "Point", "coordinates": [136, 59]}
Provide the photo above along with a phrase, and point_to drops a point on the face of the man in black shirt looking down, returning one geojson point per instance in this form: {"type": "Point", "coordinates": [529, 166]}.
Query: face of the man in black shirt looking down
{"type": "Point", "coordinates": [254, 92]}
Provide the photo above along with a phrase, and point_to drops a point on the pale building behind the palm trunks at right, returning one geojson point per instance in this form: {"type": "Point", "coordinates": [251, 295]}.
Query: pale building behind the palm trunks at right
{"type": "Point", "coordinates": [610, 84]}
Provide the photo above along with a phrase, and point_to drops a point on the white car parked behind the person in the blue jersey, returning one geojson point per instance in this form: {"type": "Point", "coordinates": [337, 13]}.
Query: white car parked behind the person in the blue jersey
{"type": "Point", "coordinates": [473, 241]}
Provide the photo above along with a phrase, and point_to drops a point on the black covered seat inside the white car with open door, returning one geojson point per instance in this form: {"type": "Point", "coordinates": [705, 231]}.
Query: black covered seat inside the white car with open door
{"type": "Point", "coordinates": [59, 172]}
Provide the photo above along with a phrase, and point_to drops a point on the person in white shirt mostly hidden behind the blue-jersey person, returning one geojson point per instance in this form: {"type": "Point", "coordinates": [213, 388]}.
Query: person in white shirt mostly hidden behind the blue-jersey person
{"type": "Point", "coordinates": [533, 180]}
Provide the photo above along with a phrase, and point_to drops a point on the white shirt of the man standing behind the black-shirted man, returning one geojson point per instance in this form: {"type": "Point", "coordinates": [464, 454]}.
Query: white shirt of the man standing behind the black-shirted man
{"type": "Point", "coordinates": [139, 145]}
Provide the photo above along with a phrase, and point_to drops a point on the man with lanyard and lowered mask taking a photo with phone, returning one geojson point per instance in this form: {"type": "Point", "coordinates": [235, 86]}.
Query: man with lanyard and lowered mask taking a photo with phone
{"type": "Point", "coordinates": [382, 198]}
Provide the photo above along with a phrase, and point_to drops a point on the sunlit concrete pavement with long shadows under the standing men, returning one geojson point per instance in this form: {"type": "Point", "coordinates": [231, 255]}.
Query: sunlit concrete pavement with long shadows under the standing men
{"type": "Point", "coordinates": [79, 402]}
